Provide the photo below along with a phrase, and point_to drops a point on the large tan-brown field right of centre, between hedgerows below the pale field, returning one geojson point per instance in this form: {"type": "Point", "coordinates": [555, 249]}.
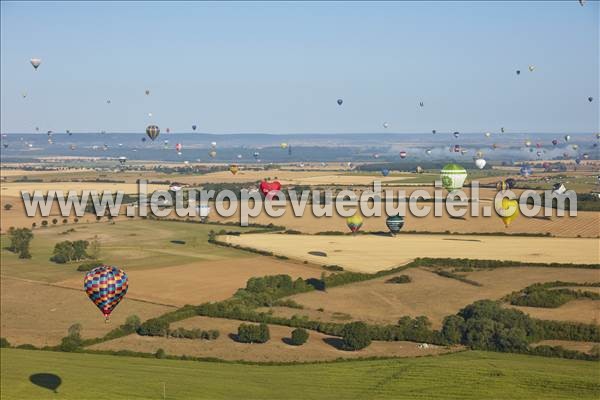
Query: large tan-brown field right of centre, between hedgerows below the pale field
{"type": "Point", "coordinates": [430, 294]}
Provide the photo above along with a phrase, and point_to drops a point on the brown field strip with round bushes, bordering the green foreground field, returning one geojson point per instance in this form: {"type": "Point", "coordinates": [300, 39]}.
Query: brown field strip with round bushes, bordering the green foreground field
{"type": "Point", "coordinates": [319, 347]}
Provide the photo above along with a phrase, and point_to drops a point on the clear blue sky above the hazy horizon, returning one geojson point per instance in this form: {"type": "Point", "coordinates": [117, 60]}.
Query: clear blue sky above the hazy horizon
{"type": "Point", "coordinates": [274, 67]}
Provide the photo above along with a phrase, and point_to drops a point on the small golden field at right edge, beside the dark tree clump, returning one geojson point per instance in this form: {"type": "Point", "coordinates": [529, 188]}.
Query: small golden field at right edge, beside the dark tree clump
{"type": "Point", "coordinates": [583, 310]}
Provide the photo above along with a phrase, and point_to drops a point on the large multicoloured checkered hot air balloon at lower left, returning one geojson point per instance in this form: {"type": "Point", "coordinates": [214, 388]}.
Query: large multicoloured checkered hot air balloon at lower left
{"type": "Point", "coordinates": [106, 286]}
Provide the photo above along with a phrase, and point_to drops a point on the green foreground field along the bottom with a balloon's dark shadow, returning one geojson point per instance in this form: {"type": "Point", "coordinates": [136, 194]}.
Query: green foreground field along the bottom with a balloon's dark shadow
{"type": "Point", "coordinates": [466, 375]}
